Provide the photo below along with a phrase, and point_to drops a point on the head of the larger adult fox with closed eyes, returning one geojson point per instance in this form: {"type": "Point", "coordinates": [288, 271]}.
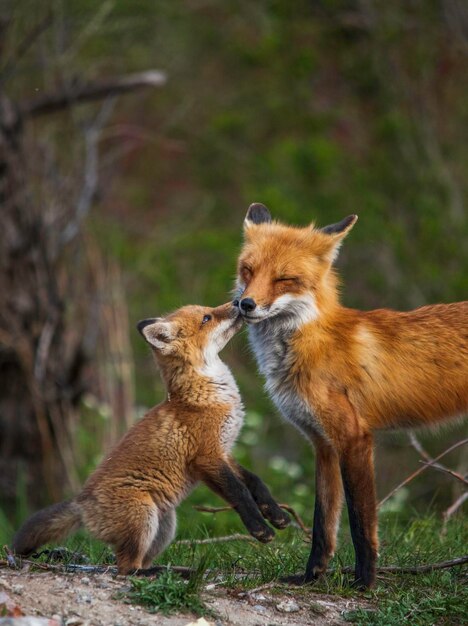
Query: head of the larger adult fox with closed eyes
{"type": "Point", "coordinates": [281, 269]}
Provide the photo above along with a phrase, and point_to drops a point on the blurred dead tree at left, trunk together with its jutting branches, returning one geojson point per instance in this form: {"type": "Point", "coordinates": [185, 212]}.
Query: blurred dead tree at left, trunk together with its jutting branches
{"type": "Point", "coordinates": [44, 346]}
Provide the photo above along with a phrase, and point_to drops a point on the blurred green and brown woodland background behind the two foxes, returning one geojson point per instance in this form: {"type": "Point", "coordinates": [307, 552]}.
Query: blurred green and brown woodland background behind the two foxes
{"type": "Point", "coordinates": [123, 198]}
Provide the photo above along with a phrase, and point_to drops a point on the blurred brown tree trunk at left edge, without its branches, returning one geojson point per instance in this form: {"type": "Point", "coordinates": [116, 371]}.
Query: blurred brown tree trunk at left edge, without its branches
{"type": "Point", "coordinates": [35, 374]}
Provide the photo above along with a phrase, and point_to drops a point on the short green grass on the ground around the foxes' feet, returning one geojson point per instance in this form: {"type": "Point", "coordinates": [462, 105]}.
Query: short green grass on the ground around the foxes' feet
{"type": "Point", "coordinates": [438, 598]}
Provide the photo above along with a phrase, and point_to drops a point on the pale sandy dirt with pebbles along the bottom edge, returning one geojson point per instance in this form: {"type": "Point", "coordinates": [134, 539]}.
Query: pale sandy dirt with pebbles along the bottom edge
{"type": "Point", "coordinates": [78, 600]}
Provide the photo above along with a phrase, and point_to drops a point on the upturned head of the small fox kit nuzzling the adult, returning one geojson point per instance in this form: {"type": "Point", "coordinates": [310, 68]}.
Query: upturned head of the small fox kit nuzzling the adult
{"type": "Point", "coordinates": [193, 334]}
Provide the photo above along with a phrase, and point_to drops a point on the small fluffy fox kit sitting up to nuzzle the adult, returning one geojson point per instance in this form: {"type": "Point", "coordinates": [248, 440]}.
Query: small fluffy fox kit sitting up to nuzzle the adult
{"type": "Point", "coordinates": [130, 500]}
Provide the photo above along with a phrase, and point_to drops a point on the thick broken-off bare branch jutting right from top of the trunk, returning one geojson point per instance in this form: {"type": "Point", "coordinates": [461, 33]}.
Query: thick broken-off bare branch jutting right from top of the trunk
{"type": "Point", "coordinates": [51, 103]}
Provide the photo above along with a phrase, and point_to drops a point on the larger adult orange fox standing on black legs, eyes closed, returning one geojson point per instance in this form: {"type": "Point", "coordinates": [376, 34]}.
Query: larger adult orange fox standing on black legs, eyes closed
{"type": "Point", "coordinates": [338, 374]}
